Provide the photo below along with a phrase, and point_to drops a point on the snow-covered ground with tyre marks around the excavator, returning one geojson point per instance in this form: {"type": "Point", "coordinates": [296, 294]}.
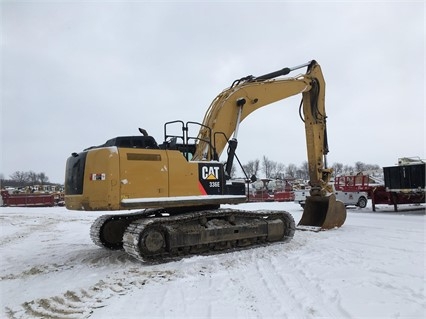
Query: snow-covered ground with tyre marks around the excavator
{"type": "Point", "coordinates": [372, 267]}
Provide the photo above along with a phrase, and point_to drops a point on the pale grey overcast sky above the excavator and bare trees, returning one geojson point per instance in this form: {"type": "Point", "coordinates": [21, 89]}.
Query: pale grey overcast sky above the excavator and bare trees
{"type": "Point", "coordinates": [74, 74]}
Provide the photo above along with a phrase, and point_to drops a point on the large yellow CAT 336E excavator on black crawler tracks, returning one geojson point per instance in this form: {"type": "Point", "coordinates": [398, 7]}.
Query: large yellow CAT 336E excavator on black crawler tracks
{"type": "Point", "coordinates": [177, 187]}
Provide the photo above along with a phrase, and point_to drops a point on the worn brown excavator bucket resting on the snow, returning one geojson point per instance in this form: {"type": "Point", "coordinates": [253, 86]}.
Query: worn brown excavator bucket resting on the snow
{"type": "Point", "coordinates": [322, 213]}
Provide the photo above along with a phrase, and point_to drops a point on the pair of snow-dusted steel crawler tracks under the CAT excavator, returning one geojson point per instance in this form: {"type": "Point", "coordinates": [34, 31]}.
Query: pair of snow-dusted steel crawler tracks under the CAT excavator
{"type": "Point", "coordinates": [152, 235]}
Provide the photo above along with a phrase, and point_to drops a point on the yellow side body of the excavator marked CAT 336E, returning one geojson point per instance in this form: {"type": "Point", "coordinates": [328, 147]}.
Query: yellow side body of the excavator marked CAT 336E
{"type": "Point", "coordinates": [116, 178]}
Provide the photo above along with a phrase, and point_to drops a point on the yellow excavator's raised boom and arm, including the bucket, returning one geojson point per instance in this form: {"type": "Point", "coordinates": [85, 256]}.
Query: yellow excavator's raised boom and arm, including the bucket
{"type": "Point", "coordinates": [248, 94]}
